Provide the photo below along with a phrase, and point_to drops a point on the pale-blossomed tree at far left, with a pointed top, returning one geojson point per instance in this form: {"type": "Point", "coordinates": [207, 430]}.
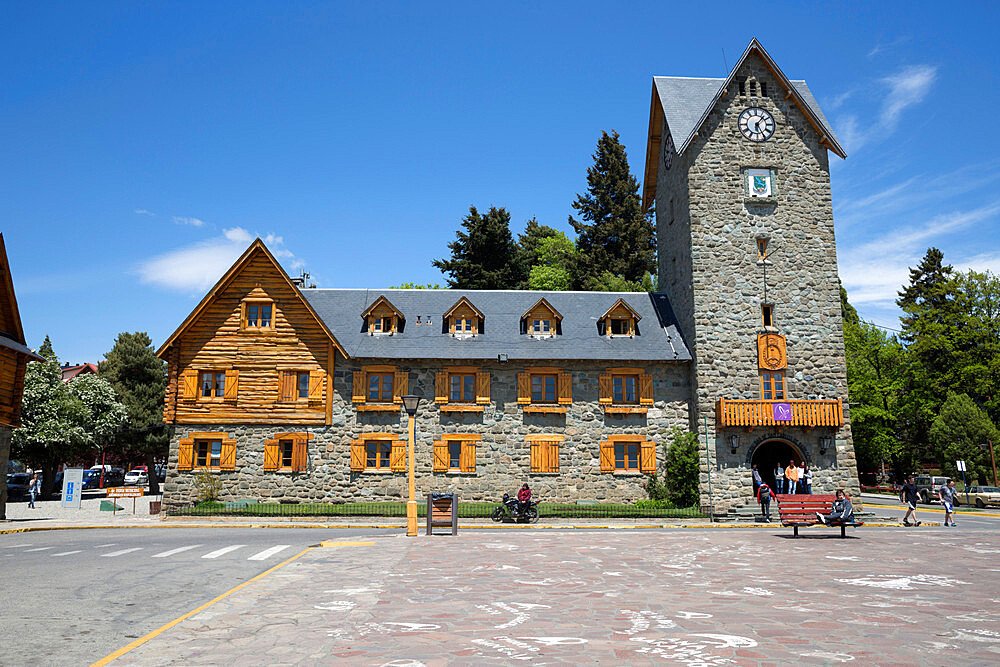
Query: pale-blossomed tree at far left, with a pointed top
{"type": "Point", "coordinates": [52, 419]}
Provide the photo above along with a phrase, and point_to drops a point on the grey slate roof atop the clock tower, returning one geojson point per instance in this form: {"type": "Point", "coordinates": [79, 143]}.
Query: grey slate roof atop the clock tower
{"type": "Point", "coordinates": [685, 101]}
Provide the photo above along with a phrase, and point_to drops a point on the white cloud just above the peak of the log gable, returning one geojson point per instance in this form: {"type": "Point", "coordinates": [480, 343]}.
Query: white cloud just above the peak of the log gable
{"type": "Point", "coordinates": [197, 267]}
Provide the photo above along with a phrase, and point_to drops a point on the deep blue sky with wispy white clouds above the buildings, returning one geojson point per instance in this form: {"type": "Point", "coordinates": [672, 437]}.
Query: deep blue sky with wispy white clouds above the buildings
{"type": "Point", "coordinates": [146, 144]}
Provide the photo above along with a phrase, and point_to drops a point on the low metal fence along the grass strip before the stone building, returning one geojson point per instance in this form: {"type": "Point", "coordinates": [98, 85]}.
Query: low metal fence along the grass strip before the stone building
{"type": "Point", "coordinates": [466, 510]}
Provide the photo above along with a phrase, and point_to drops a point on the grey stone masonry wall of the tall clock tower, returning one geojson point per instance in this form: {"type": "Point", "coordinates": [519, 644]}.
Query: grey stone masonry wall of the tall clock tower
{"type": "Point", "coordinates": [716, 283]}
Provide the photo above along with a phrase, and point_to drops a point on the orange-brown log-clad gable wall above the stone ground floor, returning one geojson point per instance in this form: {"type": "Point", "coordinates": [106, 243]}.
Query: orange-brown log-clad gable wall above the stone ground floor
{"type": "Point", "coordinates": [255, 360]}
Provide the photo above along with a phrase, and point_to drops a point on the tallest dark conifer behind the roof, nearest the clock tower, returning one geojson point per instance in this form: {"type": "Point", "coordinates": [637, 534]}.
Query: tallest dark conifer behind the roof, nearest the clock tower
{"type": "Point", "coordinates": [614, 234]}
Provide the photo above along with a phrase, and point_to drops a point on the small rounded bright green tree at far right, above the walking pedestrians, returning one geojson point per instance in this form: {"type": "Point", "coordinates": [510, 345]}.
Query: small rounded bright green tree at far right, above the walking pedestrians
{"type": "Point", "coordinates": [956, 434]}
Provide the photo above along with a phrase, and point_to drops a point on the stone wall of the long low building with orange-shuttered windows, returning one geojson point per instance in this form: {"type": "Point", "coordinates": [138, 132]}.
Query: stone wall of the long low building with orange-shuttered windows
{"type": "Point", "coordinates": [502, 457]}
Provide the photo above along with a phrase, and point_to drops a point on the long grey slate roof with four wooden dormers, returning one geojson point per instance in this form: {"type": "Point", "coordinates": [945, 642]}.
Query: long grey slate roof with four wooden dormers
{"type": "Point", "coordinates": [659, 338]}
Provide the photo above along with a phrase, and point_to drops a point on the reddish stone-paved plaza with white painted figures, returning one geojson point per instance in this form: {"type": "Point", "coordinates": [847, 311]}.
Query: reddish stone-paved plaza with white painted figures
{"type": "Point", "coordinates": [695, 597]}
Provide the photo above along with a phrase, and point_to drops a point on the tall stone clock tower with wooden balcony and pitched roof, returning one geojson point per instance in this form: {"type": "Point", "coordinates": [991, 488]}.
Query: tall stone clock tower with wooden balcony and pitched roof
{"type": "Point", "coordinates": [738, 169]}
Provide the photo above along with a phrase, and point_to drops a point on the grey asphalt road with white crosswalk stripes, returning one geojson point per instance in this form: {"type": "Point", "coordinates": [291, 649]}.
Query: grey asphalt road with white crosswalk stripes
{"type": "Point", "coordinates": [78, 595]}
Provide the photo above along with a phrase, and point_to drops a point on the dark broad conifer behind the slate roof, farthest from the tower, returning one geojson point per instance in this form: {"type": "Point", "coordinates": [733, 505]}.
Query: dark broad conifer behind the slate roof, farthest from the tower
{"type": "Point", "coordinates": [484, 256]}
